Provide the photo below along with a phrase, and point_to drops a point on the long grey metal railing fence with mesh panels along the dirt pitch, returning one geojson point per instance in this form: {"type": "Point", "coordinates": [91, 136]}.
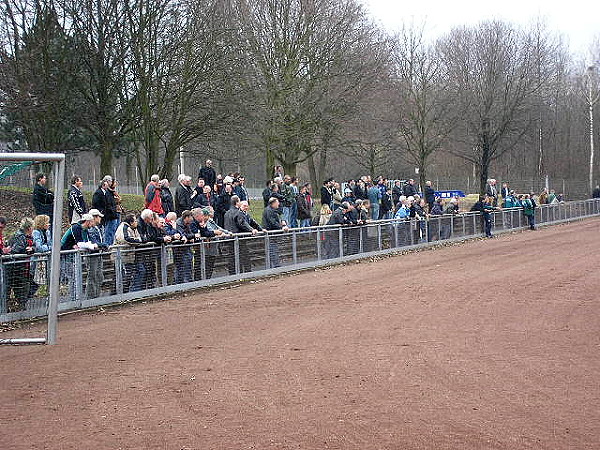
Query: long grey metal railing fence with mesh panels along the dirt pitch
{"type": "Point", "coordinates": [128, 273]}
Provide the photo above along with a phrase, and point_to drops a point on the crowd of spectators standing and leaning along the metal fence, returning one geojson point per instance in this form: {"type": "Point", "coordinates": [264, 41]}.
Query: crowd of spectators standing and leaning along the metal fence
{"type": "Point", "coordinates": [216, 208]}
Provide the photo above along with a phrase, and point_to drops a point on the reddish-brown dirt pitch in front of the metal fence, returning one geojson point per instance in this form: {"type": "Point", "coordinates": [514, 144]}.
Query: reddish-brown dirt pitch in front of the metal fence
{"type": "Point", "coordinates": [491, 344]}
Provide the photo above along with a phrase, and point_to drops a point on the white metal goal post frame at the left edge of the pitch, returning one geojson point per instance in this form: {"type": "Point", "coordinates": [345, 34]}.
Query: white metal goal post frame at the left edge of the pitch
{"type": "Point", "coordinates": [58, 160]}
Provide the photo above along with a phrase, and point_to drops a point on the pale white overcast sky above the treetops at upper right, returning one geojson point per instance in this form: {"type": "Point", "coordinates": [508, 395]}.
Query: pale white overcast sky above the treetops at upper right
{"type": "Point", "coordinates": [577, 20]}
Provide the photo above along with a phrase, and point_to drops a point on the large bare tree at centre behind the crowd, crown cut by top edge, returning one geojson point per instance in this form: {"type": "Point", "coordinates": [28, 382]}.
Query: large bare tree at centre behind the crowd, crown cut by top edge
{"type": "Point", "coordinates": [305, 57]}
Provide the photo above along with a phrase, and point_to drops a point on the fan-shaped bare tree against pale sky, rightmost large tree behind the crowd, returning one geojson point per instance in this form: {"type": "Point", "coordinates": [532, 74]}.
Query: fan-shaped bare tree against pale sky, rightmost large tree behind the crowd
{"type": "Point", "coordinates": [492, 73]}
